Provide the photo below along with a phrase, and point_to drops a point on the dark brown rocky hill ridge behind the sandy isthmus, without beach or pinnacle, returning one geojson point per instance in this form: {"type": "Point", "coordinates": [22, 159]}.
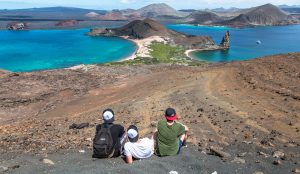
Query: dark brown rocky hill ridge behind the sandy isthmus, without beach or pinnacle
{"type": "Point", "coordinates": [140, 29]}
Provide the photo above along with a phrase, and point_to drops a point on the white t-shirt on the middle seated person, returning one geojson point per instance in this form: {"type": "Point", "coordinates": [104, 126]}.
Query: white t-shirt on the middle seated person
{"type": "Point", "coordinates": [140, 150]}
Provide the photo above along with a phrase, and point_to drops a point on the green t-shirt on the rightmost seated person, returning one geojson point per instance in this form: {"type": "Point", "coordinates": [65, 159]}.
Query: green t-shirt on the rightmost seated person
{"type": "Point", "coordinates": [168, 138]}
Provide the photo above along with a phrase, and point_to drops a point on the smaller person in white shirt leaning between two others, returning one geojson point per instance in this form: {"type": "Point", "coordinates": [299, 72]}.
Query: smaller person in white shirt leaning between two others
{"type": "Point", "coordinates": [137, 148]}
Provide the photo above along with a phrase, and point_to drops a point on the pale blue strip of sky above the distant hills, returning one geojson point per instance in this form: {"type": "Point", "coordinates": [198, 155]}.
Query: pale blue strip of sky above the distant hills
{"type": "Point", "coordinates": [135, 4]}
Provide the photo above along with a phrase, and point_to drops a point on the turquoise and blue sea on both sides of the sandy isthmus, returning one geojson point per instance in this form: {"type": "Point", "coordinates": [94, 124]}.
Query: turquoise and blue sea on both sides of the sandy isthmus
{"type": "Point", "coordinates": [50, 49]}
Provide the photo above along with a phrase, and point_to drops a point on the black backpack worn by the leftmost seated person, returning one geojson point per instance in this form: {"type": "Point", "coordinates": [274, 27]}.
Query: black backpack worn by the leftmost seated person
{"type": "Point", "coordinates": [103, 145]}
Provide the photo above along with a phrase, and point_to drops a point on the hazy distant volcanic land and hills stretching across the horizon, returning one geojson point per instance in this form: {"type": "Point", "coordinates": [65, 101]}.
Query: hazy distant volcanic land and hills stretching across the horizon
{"type": "Point", "coordinates": [48, 18]}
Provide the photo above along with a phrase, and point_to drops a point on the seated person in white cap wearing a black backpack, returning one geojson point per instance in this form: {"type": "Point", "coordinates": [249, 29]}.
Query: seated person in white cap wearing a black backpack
{"type": "Point", "coordinates": [109, 138]}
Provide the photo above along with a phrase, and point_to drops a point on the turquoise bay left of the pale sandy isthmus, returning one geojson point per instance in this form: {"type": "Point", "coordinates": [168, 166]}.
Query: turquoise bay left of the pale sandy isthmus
{"type": "Point", "coordinates": [49, 49]}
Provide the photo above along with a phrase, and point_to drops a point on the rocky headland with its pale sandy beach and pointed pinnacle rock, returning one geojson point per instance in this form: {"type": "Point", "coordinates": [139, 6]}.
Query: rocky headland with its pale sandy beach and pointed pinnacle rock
{"type": "Point", "coordinates": [146, 32]}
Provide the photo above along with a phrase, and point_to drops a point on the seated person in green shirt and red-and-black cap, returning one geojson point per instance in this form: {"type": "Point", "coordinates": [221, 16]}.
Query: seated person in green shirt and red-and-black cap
{"type": "Point", "coordinates": [170, 135]}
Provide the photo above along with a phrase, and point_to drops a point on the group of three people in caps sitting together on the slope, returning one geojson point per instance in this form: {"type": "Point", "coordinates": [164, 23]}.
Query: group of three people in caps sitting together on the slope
{"type": "Point", "coordinates": [110, 138]}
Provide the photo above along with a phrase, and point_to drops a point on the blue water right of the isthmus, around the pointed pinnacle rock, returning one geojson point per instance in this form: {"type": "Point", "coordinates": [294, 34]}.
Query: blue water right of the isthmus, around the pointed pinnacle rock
{"type": "Point", "coordinates": [274, 40]}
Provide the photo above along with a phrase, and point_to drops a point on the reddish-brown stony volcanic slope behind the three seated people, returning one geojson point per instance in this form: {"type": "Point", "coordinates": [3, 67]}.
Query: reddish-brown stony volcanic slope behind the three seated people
{"type": "Point", "coordinates": [230, 106]}
